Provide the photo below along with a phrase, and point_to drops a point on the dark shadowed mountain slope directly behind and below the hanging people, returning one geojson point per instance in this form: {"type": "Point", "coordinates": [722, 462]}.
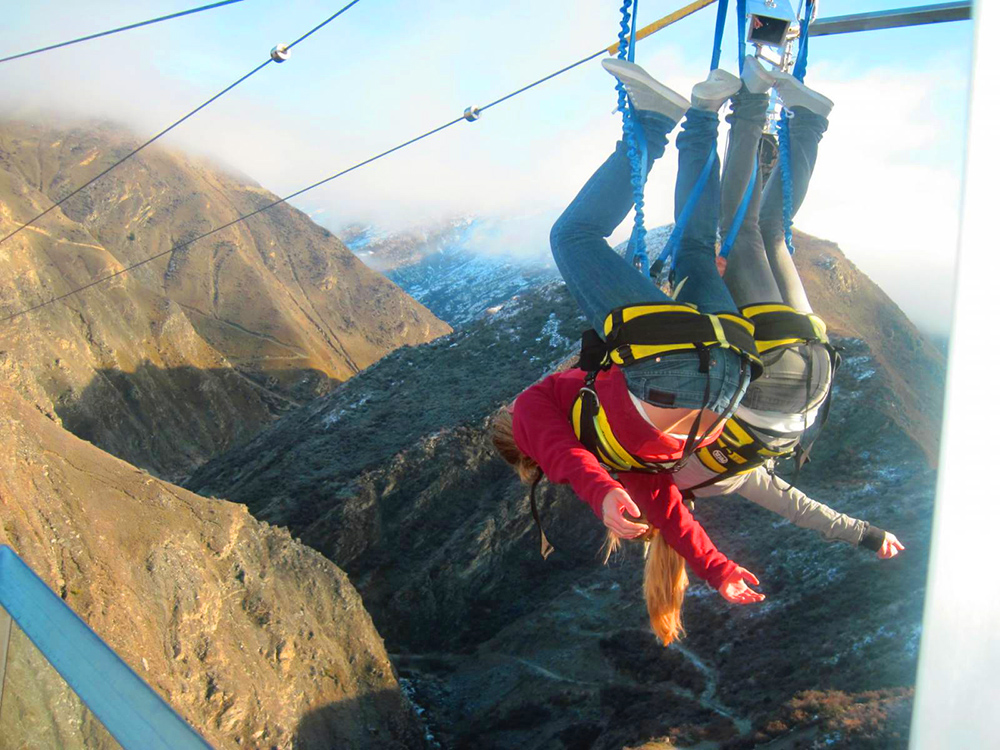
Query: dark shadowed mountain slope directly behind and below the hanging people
{"type": "Point", "coordinates": [393, 477]}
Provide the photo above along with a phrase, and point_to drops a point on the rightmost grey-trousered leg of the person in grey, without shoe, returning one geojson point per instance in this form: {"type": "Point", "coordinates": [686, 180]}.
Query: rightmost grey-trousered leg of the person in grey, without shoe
{"type": "Point", "coordinates": [806, 129]}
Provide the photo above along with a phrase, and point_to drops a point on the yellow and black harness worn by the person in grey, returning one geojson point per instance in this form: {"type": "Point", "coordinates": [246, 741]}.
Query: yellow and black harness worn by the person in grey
{"type": "Point", "coordinates": [739, 450]}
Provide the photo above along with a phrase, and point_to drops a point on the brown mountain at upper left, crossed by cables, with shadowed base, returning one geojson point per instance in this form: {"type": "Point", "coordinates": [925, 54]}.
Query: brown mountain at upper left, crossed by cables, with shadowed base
{"type": "Point", "coordinates": [171, 363]}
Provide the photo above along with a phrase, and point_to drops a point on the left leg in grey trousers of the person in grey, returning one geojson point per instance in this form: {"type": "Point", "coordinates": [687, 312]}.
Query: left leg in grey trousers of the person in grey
{"type": "Point", "coordinates": [748, 272]}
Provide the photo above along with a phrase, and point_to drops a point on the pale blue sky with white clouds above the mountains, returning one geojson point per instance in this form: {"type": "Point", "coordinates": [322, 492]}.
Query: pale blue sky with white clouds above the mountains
{"type": "Point", "coordinates": [886, 186]}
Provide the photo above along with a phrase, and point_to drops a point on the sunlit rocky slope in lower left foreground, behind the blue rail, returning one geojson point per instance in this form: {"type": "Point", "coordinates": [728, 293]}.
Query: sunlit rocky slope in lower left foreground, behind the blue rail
{"type": "Point", "coordinates": [257, 640]}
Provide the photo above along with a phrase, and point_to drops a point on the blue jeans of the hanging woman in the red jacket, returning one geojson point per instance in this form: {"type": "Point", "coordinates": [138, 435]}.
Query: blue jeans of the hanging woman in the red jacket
{"type": "Point", "coordinates": [601, 280]}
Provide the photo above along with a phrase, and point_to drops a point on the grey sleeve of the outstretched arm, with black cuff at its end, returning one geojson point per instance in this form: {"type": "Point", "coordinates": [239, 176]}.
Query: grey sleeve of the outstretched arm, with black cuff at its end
{"type": "Point", "coordinates": [775, 494]}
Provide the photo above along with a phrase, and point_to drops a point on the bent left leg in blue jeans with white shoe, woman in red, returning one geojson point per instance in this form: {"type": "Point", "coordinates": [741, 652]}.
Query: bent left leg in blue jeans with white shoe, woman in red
{"type": "Point", "coordinates": [598, 278]}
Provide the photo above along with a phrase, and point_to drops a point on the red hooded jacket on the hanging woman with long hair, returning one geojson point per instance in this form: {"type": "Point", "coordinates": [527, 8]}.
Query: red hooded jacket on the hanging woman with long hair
{"type": "Point", "coordinates": [542, 430]}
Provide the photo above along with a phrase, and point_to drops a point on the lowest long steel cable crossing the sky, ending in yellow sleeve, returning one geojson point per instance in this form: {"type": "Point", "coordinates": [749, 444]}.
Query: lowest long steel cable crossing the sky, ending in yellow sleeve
{"type": "Point", "coordinates": [471, 114]}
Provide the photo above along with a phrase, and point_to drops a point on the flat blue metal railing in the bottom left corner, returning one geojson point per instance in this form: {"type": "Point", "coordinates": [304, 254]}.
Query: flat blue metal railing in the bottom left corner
{"type": "Point", "coordinates": [129, 709]}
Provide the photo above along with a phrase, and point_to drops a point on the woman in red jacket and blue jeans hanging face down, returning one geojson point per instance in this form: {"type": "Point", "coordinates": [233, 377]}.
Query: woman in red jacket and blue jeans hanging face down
{"type": "Point", "coordinates": [659, 409]}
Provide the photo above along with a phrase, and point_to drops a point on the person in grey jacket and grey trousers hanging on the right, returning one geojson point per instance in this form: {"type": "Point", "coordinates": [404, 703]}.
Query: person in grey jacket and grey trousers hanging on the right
{"type": "Point", "coordinates": [786, 400]}
